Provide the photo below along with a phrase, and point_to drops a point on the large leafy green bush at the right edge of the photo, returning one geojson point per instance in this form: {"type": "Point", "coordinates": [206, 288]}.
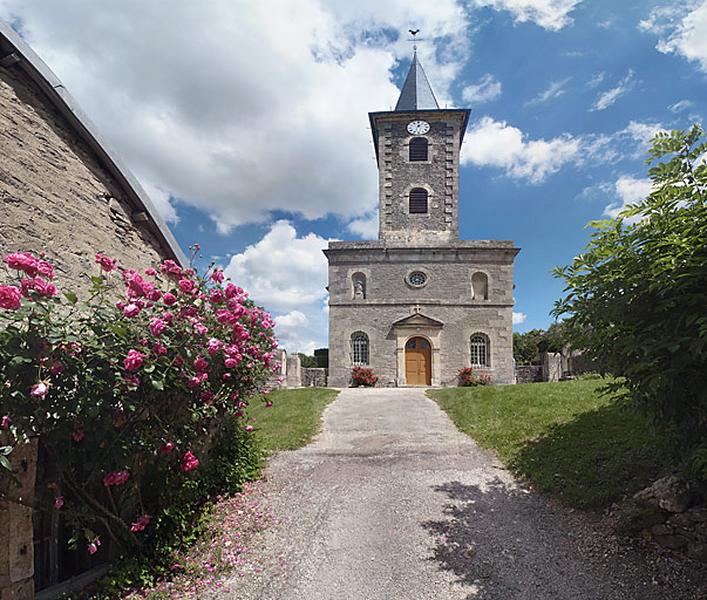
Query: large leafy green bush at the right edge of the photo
{"type": "Point", "coordinates": [636, 297]}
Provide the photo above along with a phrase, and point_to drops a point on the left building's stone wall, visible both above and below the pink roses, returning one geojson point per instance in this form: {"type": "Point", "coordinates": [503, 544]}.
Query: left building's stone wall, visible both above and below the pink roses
{"type": "Point", "coordinates": [56, 197]}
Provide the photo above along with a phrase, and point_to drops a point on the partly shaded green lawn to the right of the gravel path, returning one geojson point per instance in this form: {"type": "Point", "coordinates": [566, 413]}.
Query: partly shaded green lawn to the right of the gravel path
{"type": "Point", "coordinates": [565, 438]}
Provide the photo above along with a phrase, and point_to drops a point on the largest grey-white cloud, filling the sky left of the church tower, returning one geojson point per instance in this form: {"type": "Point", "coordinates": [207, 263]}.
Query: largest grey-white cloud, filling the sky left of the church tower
{"type": "Point", "coordinates": [243, 108]}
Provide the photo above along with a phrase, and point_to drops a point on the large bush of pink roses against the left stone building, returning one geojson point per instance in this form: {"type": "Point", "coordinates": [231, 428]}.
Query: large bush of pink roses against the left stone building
{"type": "Point", "coordinates": [127, 397]}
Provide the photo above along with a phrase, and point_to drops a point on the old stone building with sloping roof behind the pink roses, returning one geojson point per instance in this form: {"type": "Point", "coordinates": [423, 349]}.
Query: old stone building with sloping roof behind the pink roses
{"type": "Point", "coordinates": [64, 192]}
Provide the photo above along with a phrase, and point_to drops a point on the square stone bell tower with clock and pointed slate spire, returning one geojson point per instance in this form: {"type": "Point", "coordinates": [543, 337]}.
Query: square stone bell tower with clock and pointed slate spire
{"type": "Point", "coordinates": [417, 149]}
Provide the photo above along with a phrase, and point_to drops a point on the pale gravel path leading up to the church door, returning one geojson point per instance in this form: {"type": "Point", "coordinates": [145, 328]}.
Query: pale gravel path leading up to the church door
{"type": "Point", "coordinates": [393, 502]}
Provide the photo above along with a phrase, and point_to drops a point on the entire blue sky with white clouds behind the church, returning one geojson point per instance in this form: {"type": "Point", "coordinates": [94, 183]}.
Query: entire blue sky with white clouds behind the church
{"type": "Point", "coordinates": [247, 123]}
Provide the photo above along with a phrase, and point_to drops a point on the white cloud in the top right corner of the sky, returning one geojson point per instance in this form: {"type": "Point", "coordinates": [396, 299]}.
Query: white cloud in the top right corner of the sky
{"type": "Point", "coordinates": [683, 28]}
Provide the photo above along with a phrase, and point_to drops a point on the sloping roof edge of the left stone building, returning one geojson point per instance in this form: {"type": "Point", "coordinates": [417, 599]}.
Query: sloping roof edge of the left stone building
{"type": "Point", "coordinates": [50, 84]}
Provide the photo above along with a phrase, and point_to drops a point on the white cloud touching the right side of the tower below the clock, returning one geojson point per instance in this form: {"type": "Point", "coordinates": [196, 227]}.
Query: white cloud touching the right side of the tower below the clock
{"type": "Point", "coordinates": [498, 144]}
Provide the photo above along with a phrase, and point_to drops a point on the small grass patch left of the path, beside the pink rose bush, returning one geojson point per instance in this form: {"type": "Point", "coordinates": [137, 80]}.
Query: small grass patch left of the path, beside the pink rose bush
{"type": "Point", "coordinates": [293, 419]}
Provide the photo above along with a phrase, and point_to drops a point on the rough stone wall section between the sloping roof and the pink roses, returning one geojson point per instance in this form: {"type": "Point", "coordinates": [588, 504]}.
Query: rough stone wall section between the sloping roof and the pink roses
{"type": "Point", "coordinates": [55, 194]}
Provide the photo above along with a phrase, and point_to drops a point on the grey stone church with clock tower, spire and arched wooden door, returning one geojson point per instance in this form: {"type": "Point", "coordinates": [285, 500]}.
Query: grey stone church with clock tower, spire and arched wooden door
{"type": "Point", "coordinates": [418, 304]}
